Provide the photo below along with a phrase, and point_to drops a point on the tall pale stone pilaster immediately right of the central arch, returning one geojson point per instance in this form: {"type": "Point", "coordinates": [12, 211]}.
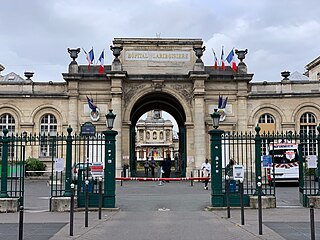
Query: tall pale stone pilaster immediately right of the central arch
{"type": "Point", "coordinates": [199, 117]}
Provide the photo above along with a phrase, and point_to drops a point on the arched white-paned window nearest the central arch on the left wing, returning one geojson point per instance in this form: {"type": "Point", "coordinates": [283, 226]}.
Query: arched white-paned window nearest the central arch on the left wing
{"type": "Point", "coordinates": [48, 129]}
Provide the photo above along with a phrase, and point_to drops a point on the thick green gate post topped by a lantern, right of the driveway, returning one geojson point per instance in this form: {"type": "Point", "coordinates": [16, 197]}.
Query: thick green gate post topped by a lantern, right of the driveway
{"type": "Point", "coordinates": [217, 197]}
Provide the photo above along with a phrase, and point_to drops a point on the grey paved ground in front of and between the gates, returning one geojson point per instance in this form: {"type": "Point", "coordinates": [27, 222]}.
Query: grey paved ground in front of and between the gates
{"type": "Point", "coordinates": [173, 211]}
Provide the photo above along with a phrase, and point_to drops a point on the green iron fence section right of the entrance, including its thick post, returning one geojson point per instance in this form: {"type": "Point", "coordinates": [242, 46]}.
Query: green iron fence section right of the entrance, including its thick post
{"type": "Point", "coordinates": [247, 149]}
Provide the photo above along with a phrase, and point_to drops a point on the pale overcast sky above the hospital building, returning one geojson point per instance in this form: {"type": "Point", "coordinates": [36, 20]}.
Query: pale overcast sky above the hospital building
{"type": "Point", "coordinates": [279, 34]}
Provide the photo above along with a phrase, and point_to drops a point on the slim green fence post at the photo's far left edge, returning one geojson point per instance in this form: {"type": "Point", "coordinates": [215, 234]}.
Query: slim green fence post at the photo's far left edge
{"type": "Point", "coordinates": [4, 170]}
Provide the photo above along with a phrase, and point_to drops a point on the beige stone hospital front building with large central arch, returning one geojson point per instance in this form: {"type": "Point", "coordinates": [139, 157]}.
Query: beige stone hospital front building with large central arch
{"type": "Point", "coordinates": [159, 74]}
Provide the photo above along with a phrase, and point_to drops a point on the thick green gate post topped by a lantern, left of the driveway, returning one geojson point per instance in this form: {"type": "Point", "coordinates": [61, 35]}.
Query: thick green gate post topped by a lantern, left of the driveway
{"type": "Point", "coordinates": [110, 165]}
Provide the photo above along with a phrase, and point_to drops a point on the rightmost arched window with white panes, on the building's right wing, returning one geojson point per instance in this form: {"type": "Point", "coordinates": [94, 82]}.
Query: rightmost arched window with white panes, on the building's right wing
{"type": "Point", "coordinates": [308, 128]}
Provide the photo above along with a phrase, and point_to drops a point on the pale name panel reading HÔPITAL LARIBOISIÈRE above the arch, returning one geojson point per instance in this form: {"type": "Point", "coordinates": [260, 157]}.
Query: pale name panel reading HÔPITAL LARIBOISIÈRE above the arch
{"type": "Point", "coordinates": [159, 56]}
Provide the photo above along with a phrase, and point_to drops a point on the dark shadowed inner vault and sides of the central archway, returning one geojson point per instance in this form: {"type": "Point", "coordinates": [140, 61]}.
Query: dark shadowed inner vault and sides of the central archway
{"type": "Point", "coordinates": [165, 102]}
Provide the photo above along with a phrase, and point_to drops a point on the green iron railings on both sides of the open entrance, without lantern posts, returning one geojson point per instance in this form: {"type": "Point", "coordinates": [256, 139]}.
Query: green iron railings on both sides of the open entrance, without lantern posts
{"type": "Point", "coordinates": [244, 148]}
